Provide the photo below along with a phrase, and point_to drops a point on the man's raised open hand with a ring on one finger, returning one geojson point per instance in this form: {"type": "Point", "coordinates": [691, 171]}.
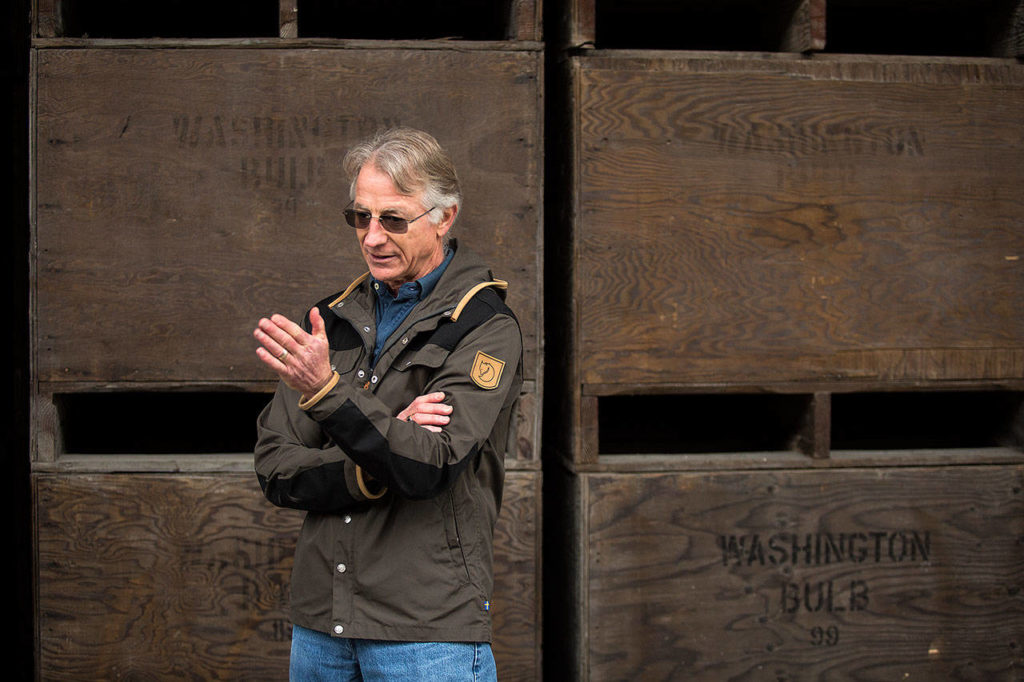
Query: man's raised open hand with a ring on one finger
{"type": "Point", "coordinates": [303, 361]}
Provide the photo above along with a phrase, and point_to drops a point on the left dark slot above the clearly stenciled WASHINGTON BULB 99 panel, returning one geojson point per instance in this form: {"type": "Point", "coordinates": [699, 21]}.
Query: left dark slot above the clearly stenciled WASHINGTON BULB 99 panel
{"type": "Point", "coordinates": [700, 423]}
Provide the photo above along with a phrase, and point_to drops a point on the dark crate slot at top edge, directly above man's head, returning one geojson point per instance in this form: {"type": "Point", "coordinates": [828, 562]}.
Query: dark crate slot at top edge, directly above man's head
{"type": "Point", "coordinates": [405, 20]}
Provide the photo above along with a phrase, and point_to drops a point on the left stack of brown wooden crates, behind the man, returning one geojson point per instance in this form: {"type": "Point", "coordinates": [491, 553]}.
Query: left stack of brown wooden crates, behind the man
{"type": "Point", "coordinates": [186, 182]}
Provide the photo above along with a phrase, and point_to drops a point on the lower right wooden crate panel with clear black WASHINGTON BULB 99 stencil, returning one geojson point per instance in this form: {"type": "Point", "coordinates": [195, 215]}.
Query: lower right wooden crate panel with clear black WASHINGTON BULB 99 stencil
{"type": "Point", "coordinates": [909, 574]}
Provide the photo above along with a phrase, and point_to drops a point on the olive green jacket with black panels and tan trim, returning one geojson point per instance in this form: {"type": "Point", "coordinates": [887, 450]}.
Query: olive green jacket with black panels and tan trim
{"type": "Point", "coordinates": [398, 538]}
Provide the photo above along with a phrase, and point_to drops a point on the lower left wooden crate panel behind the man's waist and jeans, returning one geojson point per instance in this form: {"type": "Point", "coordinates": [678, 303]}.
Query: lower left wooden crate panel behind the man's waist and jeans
{"type": "Point", "coordinates": [165, 577]}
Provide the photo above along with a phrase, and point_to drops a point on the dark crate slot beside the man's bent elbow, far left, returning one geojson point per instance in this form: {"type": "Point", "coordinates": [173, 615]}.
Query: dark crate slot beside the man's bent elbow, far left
{"type": "Point", "coordinates": [158, 422]}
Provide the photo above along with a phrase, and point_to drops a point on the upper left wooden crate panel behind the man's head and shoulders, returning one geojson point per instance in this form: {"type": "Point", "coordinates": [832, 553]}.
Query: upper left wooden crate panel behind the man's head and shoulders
{"type": "Point", "coordinates": [182, 194]}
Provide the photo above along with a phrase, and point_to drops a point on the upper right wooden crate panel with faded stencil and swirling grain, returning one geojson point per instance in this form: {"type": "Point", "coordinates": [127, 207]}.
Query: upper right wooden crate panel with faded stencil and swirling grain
{"type": "Point", "coordinates": [774, 220]}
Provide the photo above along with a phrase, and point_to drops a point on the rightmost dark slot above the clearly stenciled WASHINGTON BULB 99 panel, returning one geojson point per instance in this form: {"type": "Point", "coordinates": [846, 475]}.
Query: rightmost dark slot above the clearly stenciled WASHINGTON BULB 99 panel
{"type": "Point", "coordinates": [932, 420]}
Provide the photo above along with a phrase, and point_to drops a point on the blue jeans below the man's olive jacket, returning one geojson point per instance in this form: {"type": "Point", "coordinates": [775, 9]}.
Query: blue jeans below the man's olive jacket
{"type": "Point", "coordinates": [320, 658]}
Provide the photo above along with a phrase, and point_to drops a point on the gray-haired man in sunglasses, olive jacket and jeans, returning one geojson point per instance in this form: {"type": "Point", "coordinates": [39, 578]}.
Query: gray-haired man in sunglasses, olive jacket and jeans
{"type": "Point", "coordinates": [390, 430]}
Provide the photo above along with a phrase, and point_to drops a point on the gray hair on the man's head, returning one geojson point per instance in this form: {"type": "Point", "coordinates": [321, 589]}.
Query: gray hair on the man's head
{"type": "Point", "coordinates": [415, 162]}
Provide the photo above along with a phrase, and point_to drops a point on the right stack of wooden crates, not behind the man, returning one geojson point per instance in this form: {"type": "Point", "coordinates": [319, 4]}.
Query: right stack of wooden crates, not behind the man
{"type": "Point", "coordinates": [793, 402]}
